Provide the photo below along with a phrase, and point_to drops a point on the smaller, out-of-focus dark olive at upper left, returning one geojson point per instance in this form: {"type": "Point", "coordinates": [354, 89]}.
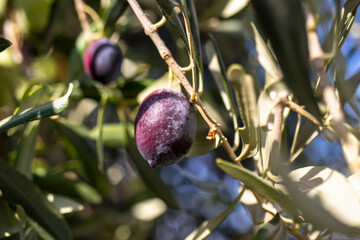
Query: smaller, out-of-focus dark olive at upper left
{"type": "Point", "coordinates": [102, 60]}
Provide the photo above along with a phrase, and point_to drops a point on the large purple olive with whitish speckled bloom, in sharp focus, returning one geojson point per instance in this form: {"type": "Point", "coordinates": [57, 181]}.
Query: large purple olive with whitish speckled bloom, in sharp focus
{"type": "Point", "coordinates": [165, 127]}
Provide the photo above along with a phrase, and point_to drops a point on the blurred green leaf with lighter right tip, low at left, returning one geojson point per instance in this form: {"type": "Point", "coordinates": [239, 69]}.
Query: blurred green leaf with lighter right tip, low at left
{"type": "Point", "coordinates": [60, 185]}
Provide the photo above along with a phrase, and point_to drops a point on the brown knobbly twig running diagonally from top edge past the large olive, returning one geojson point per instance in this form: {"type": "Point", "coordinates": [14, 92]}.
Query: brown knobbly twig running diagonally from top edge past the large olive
{"type": "Point", "coordinates": [151, 31]}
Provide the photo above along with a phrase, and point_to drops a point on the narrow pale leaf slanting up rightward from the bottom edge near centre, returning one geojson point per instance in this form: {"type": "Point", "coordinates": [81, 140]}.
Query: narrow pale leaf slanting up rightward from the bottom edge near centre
{"type": "Point", "coordinates": [210, 225]}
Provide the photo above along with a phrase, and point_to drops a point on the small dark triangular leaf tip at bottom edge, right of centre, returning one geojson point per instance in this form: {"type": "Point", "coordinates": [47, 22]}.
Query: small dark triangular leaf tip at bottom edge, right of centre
{"type": "Point", "coordinates": [274, 229]}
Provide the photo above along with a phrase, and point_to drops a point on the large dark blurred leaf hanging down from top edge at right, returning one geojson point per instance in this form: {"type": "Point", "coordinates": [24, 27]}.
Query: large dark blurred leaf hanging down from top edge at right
{"type": "Point", "coordinates": [284, 24]}
